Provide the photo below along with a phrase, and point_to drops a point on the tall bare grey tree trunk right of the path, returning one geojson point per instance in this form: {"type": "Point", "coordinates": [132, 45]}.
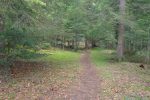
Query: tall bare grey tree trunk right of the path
{"type": "Point", "coordinates": [120, 47]}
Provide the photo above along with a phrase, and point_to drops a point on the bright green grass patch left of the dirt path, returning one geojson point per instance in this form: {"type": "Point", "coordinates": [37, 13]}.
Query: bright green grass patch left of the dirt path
{"type": "Point", "coordinates": [55, 56]}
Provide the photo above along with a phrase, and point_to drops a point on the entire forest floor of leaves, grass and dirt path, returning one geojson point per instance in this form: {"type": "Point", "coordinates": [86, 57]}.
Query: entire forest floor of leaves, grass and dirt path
{"type": "Point", "coordinates": [65, 75]}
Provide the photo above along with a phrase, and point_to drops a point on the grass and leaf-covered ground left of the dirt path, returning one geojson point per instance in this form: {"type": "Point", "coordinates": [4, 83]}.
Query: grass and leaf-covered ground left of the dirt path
{"type": "Point", "coordinates": [46, 77]}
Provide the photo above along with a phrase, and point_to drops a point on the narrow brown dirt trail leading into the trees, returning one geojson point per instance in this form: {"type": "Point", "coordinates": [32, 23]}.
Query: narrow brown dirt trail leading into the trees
{"type": "Point", "coordinates": [87, 88]}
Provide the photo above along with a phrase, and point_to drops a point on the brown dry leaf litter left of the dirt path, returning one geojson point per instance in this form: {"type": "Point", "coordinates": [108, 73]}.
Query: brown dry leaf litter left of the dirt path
{"type": "Point", "coordinates": [35, 81]}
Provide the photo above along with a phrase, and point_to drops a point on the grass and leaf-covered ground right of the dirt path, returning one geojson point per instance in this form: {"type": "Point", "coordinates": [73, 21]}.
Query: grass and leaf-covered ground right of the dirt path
{"type": "Point", "coordinates": [121, 81]}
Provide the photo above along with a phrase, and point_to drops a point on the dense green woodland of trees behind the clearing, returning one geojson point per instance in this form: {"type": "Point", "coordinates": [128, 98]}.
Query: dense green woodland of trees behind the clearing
{"type": "Point", "coordinates": [75, 24]}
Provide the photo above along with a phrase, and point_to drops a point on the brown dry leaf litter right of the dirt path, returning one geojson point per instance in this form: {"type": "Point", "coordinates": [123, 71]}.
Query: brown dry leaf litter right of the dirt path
{"type": "Point", "coordinates": [122, 83]}
